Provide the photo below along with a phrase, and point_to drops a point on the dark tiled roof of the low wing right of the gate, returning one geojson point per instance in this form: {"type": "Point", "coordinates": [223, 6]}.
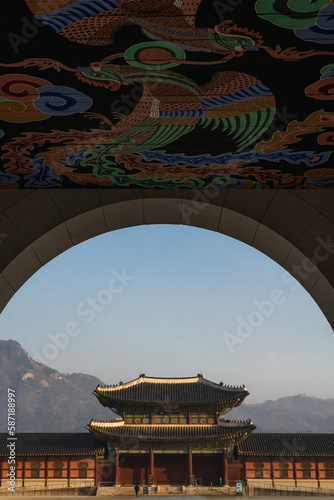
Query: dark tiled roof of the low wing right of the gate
{"type": "Point", "coordinates": [287, 445]}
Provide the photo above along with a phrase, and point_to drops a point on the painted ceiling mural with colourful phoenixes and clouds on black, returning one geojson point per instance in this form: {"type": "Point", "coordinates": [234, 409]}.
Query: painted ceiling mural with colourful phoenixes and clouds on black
{"type": "Point", "coordinates": [167, 93]}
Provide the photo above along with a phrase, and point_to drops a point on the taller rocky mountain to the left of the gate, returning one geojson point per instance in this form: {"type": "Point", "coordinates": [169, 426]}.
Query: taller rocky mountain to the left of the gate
{"type": "Point", "coordinates": [47, 401]}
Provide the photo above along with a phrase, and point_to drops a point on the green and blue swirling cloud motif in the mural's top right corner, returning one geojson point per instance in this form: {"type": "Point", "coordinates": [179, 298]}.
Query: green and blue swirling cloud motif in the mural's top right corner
{"type": "Point", "coordinates": [311, 20]}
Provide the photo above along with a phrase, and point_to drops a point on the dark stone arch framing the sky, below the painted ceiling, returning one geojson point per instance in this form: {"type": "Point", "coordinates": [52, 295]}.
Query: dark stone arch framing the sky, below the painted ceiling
{"type": "Point", "coordinates": [296, 229]}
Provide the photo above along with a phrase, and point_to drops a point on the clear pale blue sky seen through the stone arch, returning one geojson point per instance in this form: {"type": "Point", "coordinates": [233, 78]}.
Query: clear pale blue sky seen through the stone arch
{"type": "Point", "coordinates": [174, 301]}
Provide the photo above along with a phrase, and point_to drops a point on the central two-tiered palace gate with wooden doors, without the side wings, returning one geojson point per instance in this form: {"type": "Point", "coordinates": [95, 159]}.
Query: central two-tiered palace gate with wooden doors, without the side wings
{"type": "Point", "coordinates": [170, 430]}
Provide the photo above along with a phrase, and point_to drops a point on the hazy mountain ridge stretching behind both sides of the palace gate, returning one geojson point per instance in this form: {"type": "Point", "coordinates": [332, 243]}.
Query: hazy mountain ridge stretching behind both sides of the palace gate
{"type": "Point", "coordinates": [49, 401]}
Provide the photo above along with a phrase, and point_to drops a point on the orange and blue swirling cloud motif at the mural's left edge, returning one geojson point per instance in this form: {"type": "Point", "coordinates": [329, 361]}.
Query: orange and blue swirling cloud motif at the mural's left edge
{"type": "Point", "coordinates": [25, 98]}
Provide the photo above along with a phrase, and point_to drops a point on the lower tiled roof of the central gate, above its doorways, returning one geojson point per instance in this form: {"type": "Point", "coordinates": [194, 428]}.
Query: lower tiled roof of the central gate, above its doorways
{"type": "Point", "coordinates": [169, 432]}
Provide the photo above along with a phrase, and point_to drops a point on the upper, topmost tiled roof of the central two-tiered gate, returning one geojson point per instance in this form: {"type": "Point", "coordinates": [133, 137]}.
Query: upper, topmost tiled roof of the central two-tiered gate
{"type": "Point", "coordinates": [170, 391]}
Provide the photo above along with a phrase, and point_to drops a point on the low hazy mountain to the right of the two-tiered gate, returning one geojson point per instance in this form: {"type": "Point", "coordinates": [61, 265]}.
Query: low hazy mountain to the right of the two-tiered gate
{"type": "Point", "coordinates": [289, 414]}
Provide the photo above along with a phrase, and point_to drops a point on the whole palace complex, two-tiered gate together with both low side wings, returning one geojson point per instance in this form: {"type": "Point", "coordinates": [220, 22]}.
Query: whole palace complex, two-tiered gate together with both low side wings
{"type": "Point", "coordinates": [170, 433]}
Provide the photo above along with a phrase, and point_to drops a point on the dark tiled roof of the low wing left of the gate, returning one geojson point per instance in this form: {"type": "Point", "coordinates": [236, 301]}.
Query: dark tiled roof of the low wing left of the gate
{"type": "Point", "coordinates": [51, 444]}
